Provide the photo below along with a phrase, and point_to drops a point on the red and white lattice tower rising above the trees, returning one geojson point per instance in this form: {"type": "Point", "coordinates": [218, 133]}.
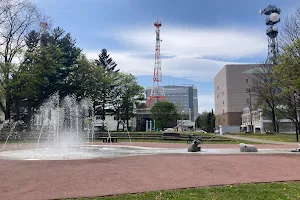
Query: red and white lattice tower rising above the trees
{"type": "Point", "coordinates": [157, 92]}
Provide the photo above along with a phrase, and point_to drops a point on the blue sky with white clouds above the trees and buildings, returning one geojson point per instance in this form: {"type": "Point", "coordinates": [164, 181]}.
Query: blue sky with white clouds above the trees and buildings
{"type": "Point", "coordinates": [199, 36]}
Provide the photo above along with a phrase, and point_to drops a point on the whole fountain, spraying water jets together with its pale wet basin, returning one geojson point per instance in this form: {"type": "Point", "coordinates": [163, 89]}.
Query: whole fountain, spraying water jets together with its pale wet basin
{"type": "Point", "coordinates": [65, 128]}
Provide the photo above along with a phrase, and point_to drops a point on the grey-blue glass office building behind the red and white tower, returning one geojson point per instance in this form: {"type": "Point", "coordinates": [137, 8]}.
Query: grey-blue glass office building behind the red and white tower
{"type": "Point", "coordinates": [184, 97]}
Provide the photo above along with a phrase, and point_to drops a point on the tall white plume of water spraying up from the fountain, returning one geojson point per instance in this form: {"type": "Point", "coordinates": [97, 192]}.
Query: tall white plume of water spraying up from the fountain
{"type": "Point", "coordinates": [63, 123]}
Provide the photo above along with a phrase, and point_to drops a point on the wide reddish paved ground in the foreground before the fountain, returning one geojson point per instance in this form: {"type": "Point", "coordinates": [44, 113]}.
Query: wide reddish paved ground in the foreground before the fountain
{"type": "Point", "coordinates": [99, 177]}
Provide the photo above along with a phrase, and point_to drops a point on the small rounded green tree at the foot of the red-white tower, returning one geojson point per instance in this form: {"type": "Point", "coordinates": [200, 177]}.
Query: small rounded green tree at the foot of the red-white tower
{"type": "Point", "coordinates": [163, 113]}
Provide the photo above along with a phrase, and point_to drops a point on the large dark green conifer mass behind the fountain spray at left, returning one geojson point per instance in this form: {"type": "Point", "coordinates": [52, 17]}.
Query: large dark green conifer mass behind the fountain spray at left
{"type": "Point", "coordinates": [49, 62]}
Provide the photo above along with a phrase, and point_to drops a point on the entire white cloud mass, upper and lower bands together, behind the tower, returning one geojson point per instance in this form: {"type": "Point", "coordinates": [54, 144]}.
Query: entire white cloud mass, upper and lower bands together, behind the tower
{"type": "Point", "coordinates": [197, 53]}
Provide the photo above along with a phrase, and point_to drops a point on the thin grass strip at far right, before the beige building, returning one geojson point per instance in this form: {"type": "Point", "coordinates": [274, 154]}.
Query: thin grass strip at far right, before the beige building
{"type": "Point", "coordinates": [281, 137]}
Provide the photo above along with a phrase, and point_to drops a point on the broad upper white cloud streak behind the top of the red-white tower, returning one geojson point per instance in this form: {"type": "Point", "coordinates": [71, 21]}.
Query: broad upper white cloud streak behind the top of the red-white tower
{"type": "Point", "coordinates": [190, 42]}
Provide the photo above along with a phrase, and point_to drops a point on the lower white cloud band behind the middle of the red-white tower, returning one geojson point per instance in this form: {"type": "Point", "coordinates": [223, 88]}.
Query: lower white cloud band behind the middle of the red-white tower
{"type": "Point", "coordinates": [202, 70]}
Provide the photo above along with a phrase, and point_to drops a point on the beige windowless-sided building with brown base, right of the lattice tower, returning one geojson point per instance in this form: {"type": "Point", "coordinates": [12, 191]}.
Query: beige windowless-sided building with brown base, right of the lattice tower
{"type": "Point", "coordinates": [230, 93]}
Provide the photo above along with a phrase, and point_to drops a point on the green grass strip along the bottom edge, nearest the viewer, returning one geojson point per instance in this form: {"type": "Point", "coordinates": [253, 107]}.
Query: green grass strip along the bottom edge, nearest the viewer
{"type": "Point", "coordinates": [265, 191]}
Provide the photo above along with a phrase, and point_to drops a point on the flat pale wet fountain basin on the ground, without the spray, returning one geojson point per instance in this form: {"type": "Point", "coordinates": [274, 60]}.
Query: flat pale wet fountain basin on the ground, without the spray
{"type": "Point", "coordinates": [105, 151]}
